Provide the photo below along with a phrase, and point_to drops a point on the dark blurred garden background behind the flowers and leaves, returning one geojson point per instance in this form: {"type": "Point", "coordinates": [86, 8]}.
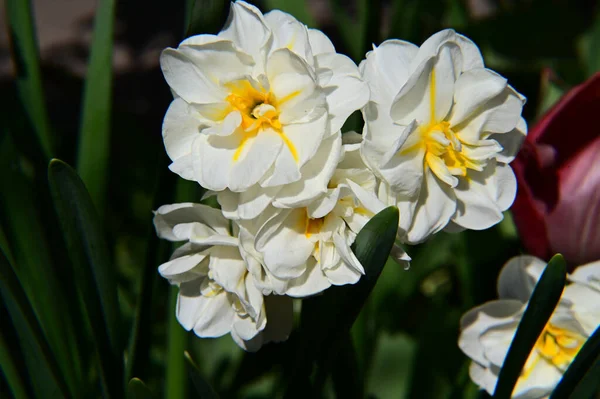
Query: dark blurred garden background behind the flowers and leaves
{"type": "Point", "coordinates": [406, 336]}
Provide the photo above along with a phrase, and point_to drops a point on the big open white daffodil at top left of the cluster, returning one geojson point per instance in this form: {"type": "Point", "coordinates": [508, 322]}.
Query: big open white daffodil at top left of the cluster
{"type": "Point", "coordinates": [256, 107]}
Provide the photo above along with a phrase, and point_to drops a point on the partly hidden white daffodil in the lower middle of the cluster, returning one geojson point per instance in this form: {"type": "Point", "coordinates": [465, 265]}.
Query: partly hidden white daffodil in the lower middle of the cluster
{"type": "Point", "coordinates": [303, 251]}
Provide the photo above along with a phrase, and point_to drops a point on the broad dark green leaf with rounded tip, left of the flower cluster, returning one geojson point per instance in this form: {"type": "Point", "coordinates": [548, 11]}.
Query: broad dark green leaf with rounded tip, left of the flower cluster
{"type": "Point", "coordinates": [92, 268]}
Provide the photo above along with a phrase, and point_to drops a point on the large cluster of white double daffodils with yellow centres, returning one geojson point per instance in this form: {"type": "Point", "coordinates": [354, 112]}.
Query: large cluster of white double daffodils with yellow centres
{"type": "Point", "coordinates": [256, 119]}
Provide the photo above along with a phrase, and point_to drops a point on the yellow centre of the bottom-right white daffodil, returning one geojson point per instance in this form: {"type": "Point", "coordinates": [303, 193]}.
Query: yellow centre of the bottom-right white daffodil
{"type": "Point", "coordinates": [556, 346]}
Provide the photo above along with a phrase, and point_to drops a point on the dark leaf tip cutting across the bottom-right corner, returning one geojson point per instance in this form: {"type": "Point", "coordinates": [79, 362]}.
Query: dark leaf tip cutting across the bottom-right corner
{"type": "Point", "coordinates": [583, 362]}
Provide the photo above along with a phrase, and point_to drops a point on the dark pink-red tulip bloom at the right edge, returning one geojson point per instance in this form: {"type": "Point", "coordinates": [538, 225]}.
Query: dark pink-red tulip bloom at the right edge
{"type": "Point", "coordinates": [557, 208]}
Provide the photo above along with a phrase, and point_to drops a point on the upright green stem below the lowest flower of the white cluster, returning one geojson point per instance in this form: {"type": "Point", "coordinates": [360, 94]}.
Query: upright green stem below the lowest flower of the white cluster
{"type": "Point", "coordinates": [176, 381]}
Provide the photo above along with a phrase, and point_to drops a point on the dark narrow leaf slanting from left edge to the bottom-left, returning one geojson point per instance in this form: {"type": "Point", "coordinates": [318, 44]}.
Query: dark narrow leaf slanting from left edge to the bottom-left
{"type": "Point", "coordinates": [40, 361]}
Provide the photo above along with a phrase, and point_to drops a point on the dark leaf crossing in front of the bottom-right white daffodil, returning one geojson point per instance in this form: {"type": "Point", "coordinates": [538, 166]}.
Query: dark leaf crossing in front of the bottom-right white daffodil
{"type": "Point", "coordinates": [541, 305]}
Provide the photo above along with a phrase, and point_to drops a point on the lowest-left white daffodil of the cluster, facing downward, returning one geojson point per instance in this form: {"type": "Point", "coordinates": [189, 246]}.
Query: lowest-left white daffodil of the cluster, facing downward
{"type": "Point", "coordinates": [217, 295]}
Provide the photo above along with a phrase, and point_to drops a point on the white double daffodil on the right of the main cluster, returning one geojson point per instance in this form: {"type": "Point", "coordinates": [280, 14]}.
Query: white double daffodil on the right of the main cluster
{"type": "Point", "coordinates": [439, 131]}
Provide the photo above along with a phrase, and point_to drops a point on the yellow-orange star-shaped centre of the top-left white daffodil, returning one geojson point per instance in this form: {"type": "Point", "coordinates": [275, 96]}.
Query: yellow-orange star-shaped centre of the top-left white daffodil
{"type": "Point", "coordinates": [259, 109]}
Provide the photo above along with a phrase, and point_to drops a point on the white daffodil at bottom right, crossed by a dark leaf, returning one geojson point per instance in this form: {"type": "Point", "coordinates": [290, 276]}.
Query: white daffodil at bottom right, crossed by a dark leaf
{"type": "Point", "coordinates": [487, 331]}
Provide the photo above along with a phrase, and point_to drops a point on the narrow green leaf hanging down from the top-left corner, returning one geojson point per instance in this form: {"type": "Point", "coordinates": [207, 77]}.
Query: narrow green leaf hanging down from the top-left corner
{"type": "Point", "coordinates": [26, 60]}
